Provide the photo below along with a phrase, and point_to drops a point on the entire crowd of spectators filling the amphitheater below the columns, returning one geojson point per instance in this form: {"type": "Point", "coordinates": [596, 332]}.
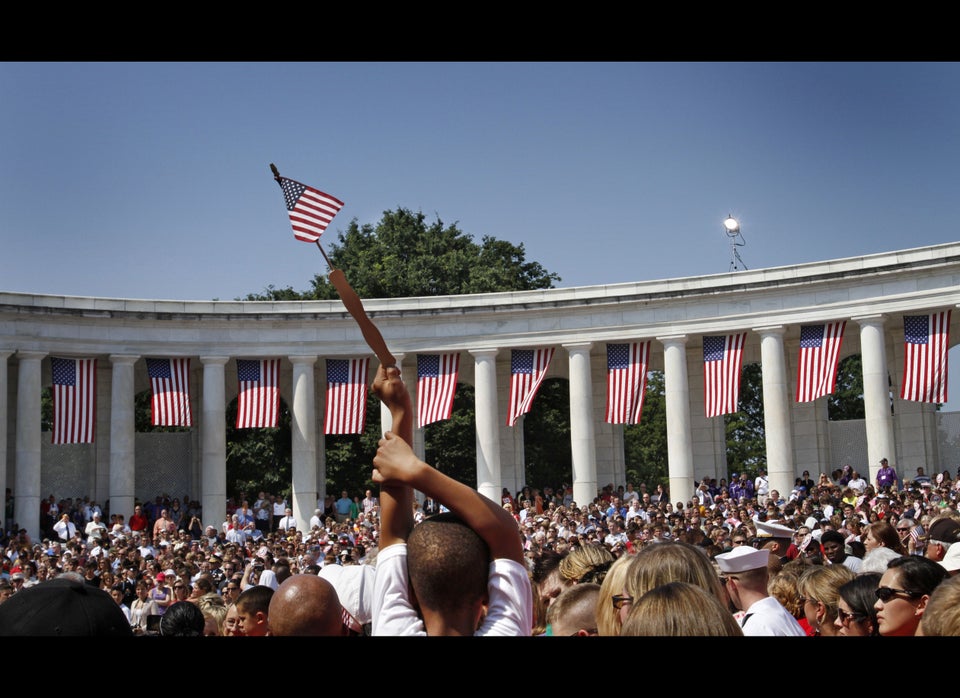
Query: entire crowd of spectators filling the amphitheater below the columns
{"type": "Point", "coordinates": [835, 556]}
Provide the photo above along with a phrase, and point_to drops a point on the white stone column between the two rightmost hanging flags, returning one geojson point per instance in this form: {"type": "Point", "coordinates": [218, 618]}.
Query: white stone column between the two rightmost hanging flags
{"type": "Point", "coordinates": [876, 394]}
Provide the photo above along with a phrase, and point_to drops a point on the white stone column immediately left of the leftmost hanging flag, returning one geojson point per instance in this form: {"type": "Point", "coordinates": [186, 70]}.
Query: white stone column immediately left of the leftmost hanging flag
{"type": "Point", "coordinates": [26, 489]}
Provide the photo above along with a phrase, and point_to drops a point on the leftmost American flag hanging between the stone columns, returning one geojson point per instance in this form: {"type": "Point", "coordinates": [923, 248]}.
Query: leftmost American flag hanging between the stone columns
{"type": "Point", "coordinates": [74, 400]}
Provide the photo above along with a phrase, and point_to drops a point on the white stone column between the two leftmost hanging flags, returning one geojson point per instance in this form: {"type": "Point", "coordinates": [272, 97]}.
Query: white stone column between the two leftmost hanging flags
{"type": "Point", "coordinates": [123, 432]}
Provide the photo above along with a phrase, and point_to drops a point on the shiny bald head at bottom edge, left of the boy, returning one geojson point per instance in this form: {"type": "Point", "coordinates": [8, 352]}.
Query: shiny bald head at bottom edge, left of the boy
{"type": "Point", "coordinates": [306, 605]}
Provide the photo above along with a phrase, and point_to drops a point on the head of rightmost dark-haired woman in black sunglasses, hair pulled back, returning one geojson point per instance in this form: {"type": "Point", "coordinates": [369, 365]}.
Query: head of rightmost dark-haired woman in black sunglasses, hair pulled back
{"type": "Point", "coordinates": [903, 592]}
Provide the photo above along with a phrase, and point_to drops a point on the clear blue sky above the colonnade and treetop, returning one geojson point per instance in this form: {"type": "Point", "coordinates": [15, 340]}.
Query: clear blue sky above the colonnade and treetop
{"type": "Point", "coordinates": [152, 180]}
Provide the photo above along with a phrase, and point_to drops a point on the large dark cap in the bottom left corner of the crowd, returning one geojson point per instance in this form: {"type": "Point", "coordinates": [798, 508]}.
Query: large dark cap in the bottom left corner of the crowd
{"type": "Point", "coordinates": [62, 607]}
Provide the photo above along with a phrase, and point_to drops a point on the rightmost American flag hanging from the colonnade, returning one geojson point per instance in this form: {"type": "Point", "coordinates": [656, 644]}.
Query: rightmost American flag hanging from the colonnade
{"type": "Point", "coordinates": [926, 341]}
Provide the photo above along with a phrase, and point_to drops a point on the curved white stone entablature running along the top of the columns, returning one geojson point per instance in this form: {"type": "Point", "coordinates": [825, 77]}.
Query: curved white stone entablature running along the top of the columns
{"type": "Point", "coordinates": [881, 284]}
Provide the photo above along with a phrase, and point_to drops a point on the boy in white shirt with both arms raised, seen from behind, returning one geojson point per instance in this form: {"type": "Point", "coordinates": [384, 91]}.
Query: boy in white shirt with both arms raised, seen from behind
{"type": "Point", "coordinates": [477, 544]}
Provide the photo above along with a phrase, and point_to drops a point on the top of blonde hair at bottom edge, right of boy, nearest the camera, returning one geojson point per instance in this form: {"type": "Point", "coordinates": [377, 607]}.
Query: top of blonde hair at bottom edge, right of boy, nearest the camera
{"type": "Point", "coordinates": [680, 609]}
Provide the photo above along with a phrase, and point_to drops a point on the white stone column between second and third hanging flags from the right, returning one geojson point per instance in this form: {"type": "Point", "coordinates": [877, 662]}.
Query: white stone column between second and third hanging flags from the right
{"type": "Point", "coordinates": [776, 410]}
